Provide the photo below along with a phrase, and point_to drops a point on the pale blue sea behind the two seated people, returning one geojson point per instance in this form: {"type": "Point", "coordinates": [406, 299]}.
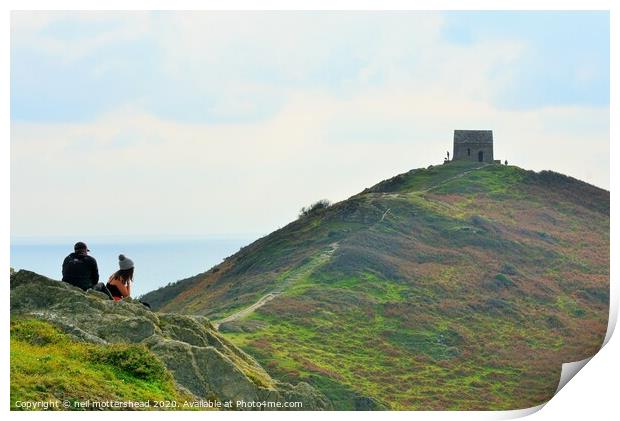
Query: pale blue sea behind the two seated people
{"type": "Point", "coordinates": [158, 261]}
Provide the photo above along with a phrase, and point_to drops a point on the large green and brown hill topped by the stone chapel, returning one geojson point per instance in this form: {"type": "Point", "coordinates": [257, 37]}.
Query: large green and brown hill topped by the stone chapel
{"type": "Point", "coordinates": [459, 286]}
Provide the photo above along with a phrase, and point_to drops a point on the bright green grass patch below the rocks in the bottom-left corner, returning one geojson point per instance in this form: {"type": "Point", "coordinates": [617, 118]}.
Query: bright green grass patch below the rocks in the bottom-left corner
{"type": "Point", "coordinates": [48, 366]}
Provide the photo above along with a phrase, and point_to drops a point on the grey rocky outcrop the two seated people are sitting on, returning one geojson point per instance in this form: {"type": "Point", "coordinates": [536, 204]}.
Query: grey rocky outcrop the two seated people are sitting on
{"type": "Point", "coordinates": [201, 360]}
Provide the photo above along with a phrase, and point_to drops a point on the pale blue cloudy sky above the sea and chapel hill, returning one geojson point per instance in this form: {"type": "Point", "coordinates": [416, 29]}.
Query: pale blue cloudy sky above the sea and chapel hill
{"type": "Point", "coordinates": [227, 123]}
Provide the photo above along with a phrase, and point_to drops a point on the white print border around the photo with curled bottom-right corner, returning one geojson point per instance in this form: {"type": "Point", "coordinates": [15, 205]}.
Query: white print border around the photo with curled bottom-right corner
{"type": "Point", "coordinates": [591, 394]}
